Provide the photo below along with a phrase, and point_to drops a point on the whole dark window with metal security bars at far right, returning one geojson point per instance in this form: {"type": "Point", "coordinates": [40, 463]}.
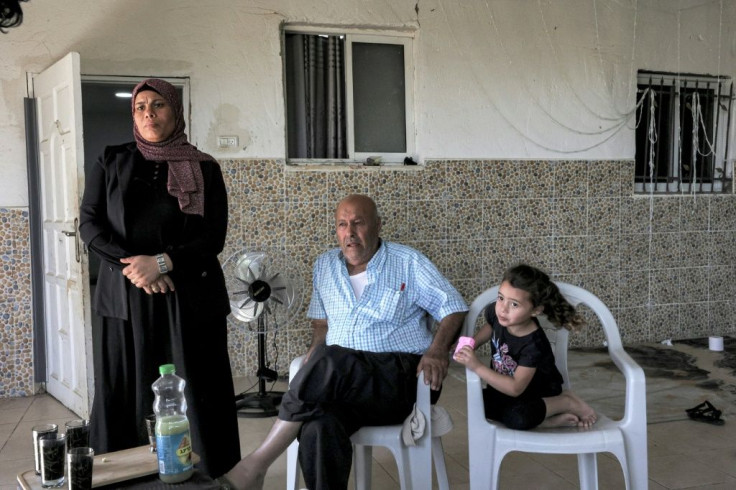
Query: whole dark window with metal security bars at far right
{"type": "Point", "coordinates": [682, 133]}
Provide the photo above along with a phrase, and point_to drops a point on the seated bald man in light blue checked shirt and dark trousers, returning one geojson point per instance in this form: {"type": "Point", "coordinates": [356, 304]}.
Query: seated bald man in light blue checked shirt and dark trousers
{"type": "Point", "coordinates": [370, 341]}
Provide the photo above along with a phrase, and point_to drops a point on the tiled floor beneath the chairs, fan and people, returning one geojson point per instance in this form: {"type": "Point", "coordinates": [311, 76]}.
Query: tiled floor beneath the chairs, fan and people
{"type": "Point", "coordinates": [683, 454]}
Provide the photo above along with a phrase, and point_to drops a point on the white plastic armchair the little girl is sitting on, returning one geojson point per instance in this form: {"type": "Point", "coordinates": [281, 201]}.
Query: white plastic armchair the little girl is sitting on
{"type": "Point", "coordinates": [489, 441]}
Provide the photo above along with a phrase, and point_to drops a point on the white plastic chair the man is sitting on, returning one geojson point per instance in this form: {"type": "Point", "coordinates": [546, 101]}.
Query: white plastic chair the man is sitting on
{"type": "Point", "coordinates": [414, 462]}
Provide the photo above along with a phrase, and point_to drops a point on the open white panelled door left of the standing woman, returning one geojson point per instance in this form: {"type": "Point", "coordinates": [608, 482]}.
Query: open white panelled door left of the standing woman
{"type": "Point", "coordinates": [58, 93]}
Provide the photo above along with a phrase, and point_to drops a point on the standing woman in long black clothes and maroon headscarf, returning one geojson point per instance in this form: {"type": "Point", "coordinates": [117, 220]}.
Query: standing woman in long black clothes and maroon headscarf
{"type": "Point", "coordinates": [155, 211]}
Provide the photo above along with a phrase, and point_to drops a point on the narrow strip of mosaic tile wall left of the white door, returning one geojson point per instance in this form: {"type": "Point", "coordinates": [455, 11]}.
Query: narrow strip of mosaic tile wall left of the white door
{"type": "Point", "coordinates": [16, 326]}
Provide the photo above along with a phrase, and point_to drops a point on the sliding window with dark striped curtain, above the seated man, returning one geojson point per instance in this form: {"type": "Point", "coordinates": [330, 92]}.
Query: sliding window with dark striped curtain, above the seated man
{"type": "Point", "coordinates": [348, 96]}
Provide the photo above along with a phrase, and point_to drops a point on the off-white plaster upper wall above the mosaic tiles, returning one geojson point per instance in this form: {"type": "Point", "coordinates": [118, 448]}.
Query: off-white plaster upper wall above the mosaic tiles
{"type": "Point", "coordinates": [494, 78]}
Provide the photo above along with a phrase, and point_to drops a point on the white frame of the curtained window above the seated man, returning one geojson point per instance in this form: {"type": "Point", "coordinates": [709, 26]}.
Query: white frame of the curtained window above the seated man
{"type": "Point", "coordinates": [376, 36]}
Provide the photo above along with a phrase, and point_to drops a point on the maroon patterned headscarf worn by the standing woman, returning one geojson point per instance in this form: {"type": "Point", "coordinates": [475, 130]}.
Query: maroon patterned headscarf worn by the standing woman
{"type": "Point", "coordinates": [185, 175]}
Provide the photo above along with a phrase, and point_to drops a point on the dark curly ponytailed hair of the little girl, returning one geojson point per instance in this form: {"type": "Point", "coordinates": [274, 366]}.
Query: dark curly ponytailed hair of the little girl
{"type": "Point", "coordinates": [544, 292]}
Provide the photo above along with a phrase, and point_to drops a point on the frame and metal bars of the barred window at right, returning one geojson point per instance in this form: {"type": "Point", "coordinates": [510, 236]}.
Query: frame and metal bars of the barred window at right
{"type": "Point", "coordinates": [718, 126]}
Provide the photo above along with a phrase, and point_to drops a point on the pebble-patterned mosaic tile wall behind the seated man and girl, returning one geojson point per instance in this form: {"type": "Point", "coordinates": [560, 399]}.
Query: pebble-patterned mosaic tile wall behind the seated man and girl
{"type": "Point", "coordinates": [668, 277]}
